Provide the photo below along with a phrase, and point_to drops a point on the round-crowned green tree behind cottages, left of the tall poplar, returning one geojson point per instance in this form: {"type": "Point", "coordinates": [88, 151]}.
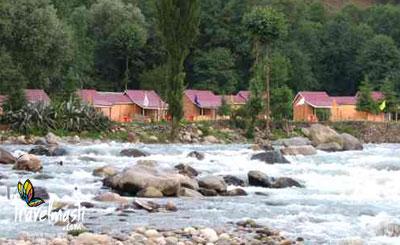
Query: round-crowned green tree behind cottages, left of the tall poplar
{"type": "Point", "coordinates": [119, 31]}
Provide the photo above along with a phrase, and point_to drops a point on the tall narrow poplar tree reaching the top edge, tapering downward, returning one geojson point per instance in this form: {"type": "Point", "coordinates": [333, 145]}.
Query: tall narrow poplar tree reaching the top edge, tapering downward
{"type": "Point", "coordinates": [178, 22]}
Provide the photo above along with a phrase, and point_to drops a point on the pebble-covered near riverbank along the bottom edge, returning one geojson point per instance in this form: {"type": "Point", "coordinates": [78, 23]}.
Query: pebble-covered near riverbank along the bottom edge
{"type": "Point", "coordinates": [246, 232]}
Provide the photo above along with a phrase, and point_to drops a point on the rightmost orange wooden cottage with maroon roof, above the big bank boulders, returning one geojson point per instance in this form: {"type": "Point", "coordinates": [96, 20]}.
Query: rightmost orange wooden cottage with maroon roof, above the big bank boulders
{"type": "Point", "coordinates": [306, 107]}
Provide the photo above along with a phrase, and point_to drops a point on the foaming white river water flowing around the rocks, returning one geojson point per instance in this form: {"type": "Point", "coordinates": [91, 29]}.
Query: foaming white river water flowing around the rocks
{"type": "Point", "coordinates": [348, 195]}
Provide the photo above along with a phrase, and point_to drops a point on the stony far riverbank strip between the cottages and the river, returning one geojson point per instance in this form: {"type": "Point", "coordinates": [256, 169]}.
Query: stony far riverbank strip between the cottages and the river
{"type": "Point", "coordinates": [220, 132]}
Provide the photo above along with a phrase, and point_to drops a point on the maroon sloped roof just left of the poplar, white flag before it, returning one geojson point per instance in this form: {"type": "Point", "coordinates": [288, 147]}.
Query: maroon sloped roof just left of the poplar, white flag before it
{"type": "Point", "coordinates": [147, 99]}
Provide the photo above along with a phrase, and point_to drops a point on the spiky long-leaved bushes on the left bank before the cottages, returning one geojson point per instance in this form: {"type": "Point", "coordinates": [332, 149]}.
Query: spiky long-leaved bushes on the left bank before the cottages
{"type": "Point", "coordinates": [69, 116]}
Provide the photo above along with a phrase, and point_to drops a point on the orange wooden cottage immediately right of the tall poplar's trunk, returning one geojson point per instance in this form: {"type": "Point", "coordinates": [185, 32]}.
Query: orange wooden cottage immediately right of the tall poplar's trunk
{"type": "Point", "coordinates": [200, 105]}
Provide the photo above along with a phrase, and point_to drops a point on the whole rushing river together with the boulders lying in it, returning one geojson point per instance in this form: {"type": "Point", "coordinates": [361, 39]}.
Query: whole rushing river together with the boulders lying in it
{"type": "Point", "coordinates": [325, 197]}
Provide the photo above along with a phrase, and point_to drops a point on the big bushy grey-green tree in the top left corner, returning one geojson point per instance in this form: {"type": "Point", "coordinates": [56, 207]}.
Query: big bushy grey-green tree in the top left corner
{"type": "Point", "coordinates": [38, 42]}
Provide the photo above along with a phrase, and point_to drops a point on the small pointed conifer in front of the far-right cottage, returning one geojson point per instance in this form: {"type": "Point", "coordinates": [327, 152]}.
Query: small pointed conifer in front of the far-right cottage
{"type": "Point", "coordinates": [365, 102]}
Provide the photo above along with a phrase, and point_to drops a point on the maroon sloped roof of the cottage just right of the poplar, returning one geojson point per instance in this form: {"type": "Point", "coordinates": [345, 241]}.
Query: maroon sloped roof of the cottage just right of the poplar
{"type": "Point", "coordinates": [203, 98]}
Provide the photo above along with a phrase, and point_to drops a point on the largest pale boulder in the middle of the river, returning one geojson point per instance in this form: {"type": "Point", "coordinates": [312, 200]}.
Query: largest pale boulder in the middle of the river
{"type": "Point", "coordinates": [136, 178]}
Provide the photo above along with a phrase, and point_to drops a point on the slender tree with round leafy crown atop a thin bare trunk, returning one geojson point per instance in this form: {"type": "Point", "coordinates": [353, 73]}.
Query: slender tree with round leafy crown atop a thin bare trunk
{"type": "Point", "coordinates": [267, 26]}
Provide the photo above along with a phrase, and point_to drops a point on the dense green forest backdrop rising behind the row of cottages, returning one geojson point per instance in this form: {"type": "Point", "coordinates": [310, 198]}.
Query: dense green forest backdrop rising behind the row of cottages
{"type": "Point", "coordinates": [112, 44]}
